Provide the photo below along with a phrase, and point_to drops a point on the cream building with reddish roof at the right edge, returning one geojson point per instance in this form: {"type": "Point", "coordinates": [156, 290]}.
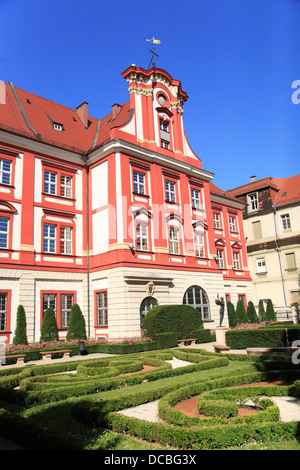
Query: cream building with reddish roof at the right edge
{"type": "Point", "coordinates": [272, 230]}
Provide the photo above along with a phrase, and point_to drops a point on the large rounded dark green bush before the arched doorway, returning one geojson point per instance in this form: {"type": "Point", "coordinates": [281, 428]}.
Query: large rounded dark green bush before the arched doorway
{"type": "Point", "coordinates": [179, 319]}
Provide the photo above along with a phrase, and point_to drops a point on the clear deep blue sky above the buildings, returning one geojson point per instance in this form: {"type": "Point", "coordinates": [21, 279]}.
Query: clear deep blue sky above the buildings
{"type": "Point", "coordinates": [236, 59]}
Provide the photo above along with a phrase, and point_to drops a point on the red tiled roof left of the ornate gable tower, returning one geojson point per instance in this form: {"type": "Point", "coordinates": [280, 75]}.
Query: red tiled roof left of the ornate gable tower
{"type": "Point", "coordinates": [42, 113]}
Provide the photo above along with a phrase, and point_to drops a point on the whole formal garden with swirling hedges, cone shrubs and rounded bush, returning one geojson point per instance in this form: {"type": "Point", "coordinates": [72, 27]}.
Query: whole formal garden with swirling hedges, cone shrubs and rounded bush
{"type": "Point", "coordinates": [213, 401]}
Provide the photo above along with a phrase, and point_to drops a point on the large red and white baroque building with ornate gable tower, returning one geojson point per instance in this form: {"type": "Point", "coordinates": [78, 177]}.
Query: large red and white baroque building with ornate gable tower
{"type": "Point", "coordinates": [116, 214]}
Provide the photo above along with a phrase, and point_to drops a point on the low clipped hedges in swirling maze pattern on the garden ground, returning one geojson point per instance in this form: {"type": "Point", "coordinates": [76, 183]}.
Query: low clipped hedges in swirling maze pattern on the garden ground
{"type": "Point", "coordinates": [97, 389]}
